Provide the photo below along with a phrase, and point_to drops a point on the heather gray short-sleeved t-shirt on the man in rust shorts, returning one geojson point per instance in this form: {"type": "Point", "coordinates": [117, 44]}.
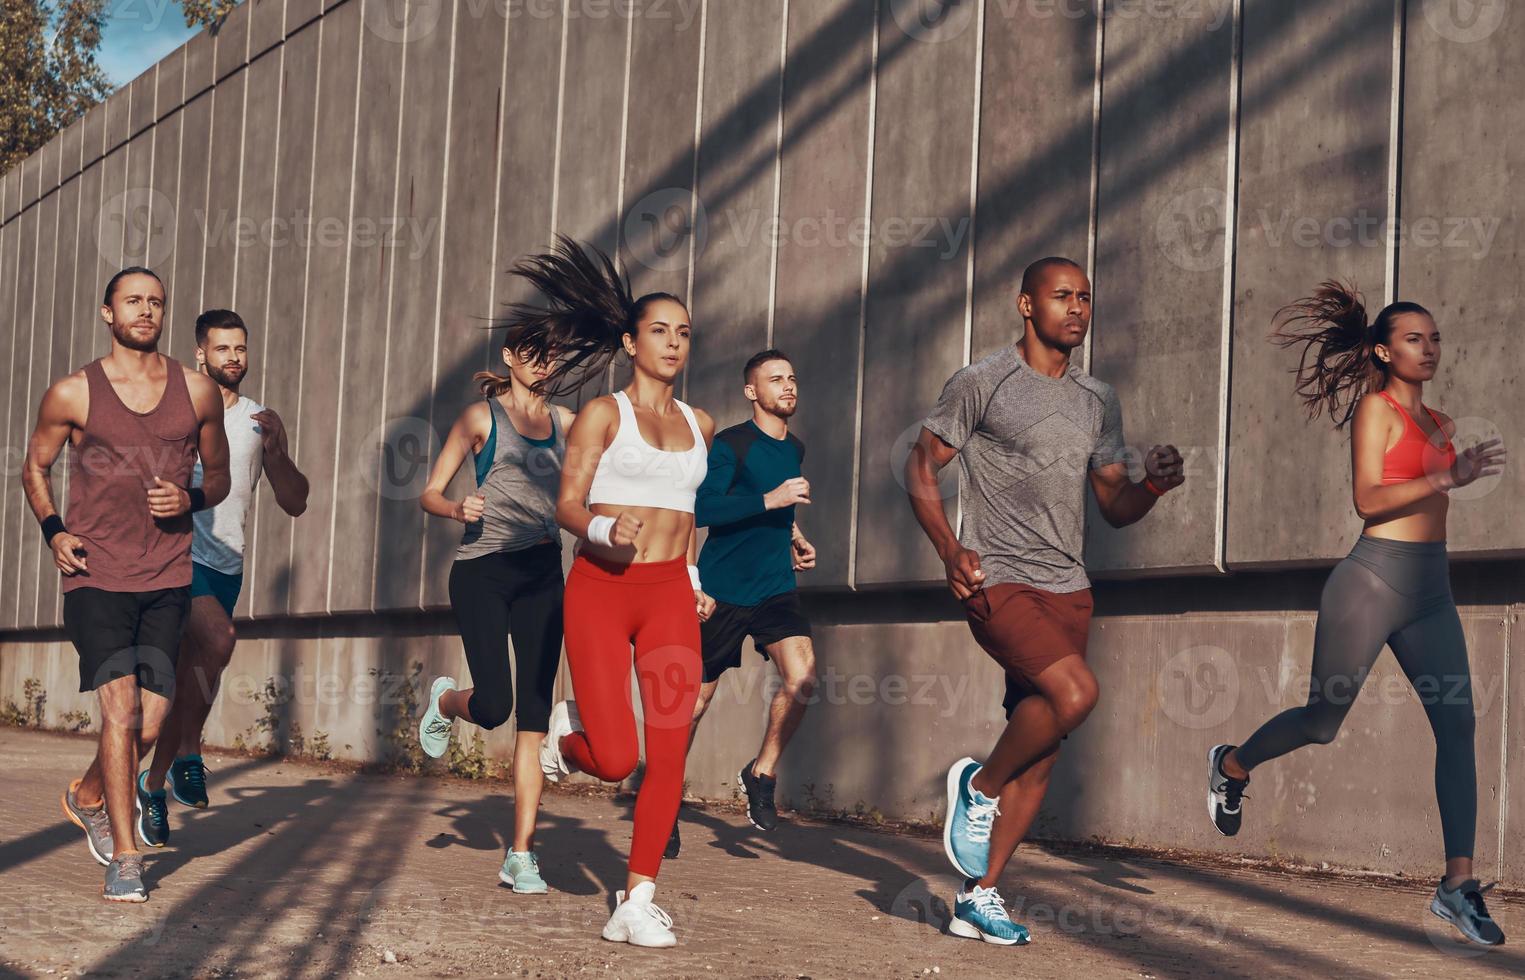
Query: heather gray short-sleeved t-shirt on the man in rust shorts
{"type": "Point", "coordinates": [1026, 446]}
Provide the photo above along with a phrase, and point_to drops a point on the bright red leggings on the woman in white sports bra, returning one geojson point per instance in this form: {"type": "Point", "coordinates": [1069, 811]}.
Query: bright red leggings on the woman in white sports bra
{"type": "Point", "coordinates": [611, 607]}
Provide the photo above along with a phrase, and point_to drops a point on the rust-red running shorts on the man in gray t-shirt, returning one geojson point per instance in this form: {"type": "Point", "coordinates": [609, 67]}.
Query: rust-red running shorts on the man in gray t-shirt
{"type": "Point", "coordinates": [1027, 630]}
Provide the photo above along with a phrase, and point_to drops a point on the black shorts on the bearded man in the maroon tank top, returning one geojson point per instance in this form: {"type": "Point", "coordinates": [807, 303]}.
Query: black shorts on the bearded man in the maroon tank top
{"type": "Point", "coordinates": [127, 635]}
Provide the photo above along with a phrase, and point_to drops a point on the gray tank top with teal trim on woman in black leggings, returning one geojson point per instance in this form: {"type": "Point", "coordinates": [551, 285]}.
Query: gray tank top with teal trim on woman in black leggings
{"type": "Point", "coordinates": [521, 481]}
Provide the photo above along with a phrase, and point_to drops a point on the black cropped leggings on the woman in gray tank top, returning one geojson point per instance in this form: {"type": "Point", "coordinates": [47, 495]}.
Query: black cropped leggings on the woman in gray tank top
{"type": "Point", "coordinates": [496, 595]}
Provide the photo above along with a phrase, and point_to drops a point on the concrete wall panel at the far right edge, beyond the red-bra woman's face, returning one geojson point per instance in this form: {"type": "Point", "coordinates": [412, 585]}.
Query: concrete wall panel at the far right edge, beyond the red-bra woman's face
{"type": "Point", "coordinates": [1463, 217]}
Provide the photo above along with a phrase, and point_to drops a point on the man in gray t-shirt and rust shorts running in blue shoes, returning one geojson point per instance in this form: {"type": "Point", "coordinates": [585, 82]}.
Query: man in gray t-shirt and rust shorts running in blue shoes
{"type": "Point", "coordinates": [1030, 431]}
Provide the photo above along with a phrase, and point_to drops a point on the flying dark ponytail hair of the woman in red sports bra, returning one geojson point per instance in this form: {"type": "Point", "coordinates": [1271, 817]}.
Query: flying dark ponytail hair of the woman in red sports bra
{"type": "Point", "coordinates": [1340, 363]}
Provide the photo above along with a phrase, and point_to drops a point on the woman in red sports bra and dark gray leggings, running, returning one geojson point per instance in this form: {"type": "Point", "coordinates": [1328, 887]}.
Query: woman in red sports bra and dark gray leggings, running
{"type": "Point", "coordinates": [1395, 586]}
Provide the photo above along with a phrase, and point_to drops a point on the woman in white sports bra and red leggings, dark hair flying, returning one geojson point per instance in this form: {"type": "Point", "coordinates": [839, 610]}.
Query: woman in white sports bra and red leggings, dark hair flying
{"type": "Point", "coordinates": [634, 464]}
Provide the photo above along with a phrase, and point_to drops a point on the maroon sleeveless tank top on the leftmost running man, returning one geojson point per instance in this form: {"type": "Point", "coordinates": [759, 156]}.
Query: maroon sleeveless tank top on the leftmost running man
{"type": "Point", "coordinates": [111, 472]}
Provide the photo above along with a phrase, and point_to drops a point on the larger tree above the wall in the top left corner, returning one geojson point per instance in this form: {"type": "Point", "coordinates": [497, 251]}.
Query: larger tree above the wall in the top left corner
{"type": "Point", "coordinates": [48, 71]}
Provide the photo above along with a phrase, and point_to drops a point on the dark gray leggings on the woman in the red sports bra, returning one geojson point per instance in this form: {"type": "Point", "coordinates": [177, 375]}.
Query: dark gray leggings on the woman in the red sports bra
{"type": "Point", "coordinates": [1395, 594]}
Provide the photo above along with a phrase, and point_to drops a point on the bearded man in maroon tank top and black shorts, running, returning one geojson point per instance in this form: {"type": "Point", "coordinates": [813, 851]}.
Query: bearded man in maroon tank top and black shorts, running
{"type": "Point", "coordinates": [135, 423]}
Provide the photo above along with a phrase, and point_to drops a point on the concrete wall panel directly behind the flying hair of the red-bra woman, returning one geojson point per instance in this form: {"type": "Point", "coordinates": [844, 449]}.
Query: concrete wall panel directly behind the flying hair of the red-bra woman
{"type": "Point", "coordinates": [1314, 170]}
